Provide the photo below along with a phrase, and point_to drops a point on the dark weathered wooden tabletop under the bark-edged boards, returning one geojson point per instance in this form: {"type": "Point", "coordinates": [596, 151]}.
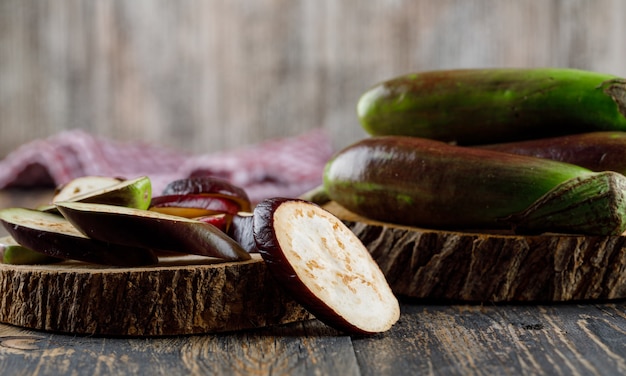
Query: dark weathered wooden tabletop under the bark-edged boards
{"type": "Point", "coordinates": [430, 338]}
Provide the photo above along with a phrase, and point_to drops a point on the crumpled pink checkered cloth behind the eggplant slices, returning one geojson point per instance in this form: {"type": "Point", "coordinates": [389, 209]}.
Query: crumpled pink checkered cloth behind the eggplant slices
{"type": "Point", "coordinates": [284, 167]}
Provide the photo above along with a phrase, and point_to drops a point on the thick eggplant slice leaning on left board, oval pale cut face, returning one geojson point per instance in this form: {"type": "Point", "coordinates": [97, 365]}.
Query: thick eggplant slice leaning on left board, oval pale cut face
{"type": "Point", "coordinates": [324, 266]}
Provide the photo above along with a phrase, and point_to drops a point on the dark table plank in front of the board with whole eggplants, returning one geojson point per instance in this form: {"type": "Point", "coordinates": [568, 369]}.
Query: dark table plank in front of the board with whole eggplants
{"type": "Point", "coordinates": [488, 340]}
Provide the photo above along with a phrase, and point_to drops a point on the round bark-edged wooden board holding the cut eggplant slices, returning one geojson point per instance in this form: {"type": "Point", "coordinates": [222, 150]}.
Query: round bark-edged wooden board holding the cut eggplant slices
{"type": "Point", "coordinates": [181, 295]}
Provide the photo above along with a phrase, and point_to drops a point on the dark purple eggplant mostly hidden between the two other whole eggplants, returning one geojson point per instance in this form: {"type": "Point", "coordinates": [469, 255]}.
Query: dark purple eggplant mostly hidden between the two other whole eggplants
{"type": "Point", "coordinates": [597, 151]}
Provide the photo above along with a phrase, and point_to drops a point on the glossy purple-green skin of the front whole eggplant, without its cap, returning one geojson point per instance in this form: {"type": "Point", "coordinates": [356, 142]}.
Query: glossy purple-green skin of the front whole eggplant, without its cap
{"type": "Point", "coordinates": [421, 182]}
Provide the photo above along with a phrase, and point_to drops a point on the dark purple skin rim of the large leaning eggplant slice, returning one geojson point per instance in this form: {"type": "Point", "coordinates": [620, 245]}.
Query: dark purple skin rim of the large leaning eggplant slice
{"type": "Point", "coordinates": [272, 253]}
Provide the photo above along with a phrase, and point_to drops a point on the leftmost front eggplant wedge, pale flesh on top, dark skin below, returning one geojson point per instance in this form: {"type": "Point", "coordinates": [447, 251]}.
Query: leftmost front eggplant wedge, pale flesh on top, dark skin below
{"type": "Point", "coordinates": [54, 236]}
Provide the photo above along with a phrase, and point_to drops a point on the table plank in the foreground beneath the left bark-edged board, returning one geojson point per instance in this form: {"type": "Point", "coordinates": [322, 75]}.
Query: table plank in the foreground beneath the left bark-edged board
{"type": "Point", "coordinates": [309, 348]}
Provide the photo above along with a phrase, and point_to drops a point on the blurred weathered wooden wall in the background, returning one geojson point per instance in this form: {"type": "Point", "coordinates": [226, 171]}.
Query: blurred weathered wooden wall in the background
{"type": "Point", "coordinates": [209, 75]}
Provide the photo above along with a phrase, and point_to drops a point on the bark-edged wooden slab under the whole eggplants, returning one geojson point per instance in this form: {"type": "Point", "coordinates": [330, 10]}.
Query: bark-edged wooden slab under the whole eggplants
{"type": "Point", "coordinates": [483, 267]}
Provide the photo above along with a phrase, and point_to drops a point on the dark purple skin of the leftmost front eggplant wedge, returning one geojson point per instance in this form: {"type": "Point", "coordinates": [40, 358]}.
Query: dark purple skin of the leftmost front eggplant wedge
{"type": "Point", "coordinates": [80, 248]}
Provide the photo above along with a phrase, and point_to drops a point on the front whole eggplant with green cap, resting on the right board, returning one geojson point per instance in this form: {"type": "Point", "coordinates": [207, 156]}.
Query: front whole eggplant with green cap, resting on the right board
{"type": "Point", "coordinates": [427, 183]}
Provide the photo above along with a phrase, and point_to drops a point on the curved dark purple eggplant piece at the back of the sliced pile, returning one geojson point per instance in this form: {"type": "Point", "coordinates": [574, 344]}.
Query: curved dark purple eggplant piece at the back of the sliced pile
{"type": "Point", "coordinates": [209, 185]}
